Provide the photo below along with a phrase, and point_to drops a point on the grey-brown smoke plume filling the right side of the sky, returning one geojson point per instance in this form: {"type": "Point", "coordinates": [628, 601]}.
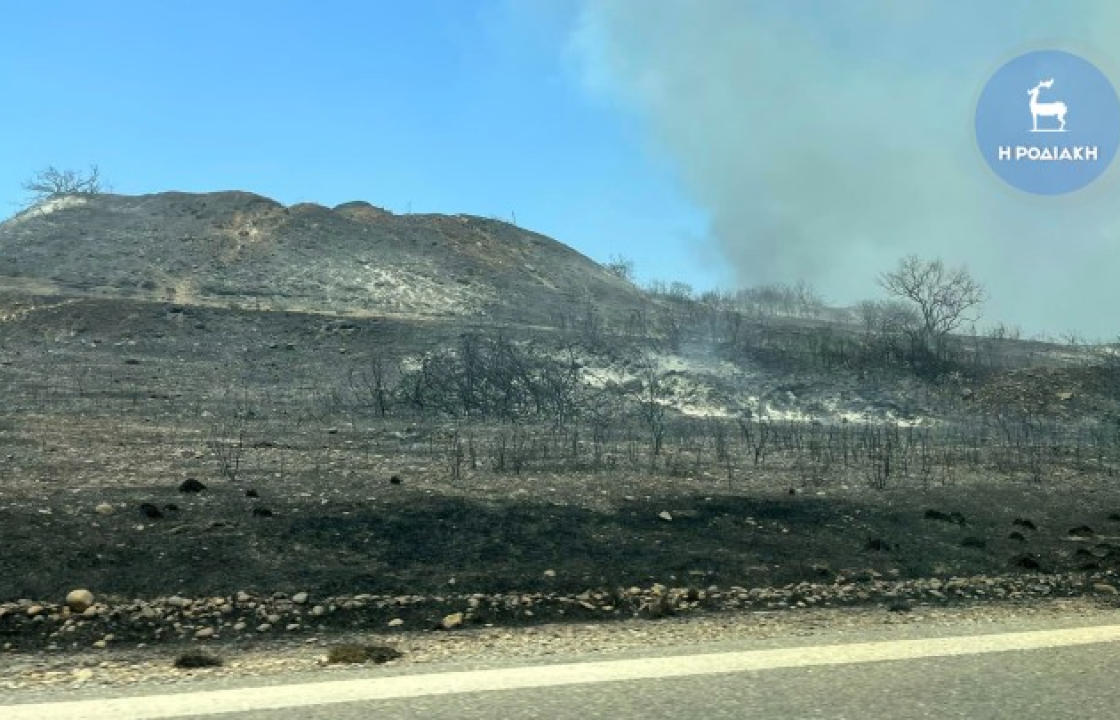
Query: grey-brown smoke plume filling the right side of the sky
{"type": "Point", "coordinates": [828, 139]}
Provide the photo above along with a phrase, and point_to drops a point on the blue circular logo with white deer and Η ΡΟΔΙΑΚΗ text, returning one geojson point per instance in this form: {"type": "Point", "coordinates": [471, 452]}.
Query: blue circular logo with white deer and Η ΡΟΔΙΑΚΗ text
{"type": "Point", "coordinates": [1049, 123]}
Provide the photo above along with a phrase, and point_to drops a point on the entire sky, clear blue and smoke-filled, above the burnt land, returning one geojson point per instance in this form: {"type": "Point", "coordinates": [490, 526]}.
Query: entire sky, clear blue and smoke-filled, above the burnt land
{"type": "Point", "coordinates": [722, 144]}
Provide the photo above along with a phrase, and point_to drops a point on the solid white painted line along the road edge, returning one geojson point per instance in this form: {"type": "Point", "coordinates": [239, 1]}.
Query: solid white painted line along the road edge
{"type": "Point", "coordinates": [304, 695]}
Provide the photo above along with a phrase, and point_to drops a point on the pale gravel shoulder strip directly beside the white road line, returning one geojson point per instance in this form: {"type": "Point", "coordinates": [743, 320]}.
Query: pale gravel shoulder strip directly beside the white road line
{"type": "Point", "coordinates": [124, 667]}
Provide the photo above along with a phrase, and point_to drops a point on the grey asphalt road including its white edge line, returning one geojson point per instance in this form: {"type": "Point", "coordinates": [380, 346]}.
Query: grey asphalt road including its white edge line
{"type": "Point", "coordinates": [1037, 671]}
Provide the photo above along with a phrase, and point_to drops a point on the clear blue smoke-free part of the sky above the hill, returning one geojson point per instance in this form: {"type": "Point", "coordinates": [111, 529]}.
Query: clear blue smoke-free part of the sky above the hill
{"type": "Point", "coordinates": [436, 107]}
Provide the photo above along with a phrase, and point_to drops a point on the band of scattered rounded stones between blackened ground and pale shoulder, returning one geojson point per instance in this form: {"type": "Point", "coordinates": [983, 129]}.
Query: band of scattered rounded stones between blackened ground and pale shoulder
{"type": "Point", "coordinates": [30, 625]}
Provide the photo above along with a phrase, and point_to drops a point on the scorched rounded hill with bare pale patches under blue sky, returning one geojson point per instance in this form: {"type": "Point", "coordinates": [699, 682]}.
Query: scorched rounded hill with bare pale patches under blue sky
{"type": "Point", "coordinates": [221, 248]}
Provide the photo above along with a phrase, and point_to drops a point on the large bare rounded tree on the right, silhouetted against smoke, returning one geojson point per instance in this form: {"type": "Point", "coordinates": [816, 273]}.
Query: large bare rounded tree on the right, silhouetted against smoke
{"type": "Point", "coordinates": [946, 298]}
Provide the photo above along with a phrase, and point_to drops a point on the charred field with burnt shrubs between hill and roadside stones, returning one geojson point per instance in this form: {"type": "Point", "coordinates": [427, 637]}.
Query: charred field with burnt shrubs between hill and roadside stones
{"type": "Point", "coordinates": [738, 438]}
